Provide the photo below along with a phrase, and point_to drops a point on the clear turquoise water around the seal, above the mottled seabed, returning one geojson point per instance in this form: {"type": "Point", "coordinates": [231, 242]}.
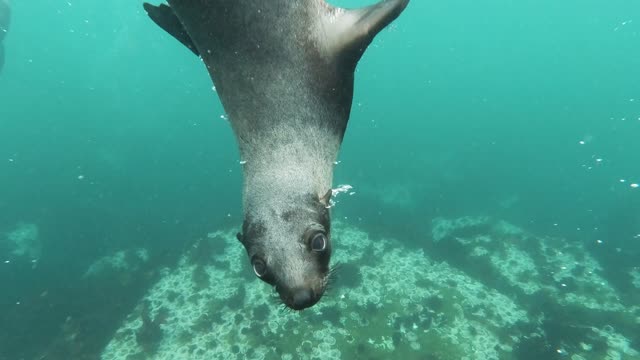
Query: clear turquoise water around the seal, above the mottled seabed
{"type": "Point", "coordinates": [111, 138]}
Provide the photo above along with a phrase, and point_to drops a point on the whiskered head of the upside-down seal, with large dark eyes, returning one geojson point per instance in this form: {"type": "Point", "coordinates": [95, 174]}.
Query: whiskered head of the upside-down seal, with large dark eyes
{"type": "Point", "coordinates": [289, 248]}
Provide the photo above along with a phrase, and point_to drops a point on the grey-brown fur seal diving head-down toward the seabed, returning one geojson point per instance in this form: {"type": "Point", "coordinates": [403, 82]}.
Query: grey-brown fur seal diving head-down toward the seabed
{"type": "Point", "coordinates": [284, 71]}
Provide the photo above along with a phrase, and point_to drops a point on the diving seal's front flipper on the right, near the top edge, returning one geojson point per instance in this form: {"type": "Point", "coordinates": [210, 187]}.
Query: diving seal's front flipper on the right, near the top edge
{"type": "Point", "coordinates": [350, 31]}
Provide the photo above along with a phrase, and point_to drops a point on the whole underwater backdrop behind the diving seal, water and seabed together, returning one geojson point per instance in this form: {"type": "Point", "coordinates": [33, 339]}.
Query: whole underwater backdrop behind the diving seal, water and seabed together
{"type": "Point", "coordinates": [494, 157]}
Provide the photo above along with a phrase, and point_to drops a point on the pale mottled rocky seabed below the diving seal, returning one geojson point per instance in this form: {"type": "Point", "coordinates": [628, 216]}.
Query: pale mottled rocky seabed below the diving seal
{"type": "Point", "coordinates": [502, 293]}
